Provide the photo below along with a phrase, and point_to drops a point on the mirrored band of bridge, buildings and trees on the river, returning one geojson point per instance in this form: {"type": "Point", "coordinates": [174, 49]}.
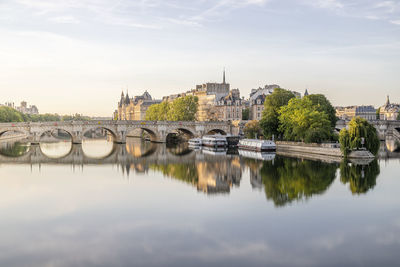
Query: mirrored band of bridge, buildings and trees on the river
{"type": "Point", "coordinates": [283, 179]}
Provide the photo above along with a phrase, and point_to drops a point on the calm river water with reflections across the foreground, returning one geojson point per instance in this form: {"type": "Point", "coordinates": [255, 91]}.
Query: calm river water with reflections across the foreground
{"type": "Point", "coordinates": [142, 204]}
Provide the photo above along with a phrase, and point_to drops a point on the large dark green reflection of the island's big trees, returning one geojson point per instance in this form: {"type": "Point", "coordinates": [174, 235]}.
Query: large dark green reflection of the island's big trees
{"type": "Point", "coordinates": [288, 179]}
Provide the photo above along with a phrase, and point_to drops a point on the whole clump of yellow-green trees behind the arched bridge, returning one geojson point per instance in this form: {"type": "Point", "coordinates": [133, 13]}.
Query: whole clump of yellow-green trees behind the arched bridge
{"type": "Point", "coordinates": [181, 109]}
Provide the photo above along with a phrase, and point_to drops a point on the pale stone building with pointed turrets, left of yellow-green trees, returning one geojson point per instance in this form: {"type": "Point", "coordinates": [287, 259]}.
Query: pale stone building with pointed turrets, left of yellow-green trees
{"type": "Point", "coordinates": [134, 108]}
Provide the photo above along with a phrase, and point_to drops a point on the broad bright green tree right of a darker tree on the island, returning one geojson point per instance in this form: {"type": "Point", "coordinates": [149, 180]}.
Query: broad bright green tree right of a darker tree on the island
{"type": "Point", "coordinates": [301, 120]}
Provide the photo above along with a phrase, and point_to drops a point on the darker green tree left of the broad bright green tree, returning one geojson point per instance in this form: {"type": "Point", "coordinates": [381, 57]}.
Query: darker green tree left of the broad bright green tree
{"type": "Point", "coordinates": [272, 104]}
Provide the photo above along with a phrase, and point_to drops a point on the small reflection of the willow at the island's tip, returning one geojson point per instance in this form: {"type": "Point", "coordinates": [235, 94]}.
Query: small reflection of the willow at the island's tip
{"type": "Point", "coordinates": [361, 177]}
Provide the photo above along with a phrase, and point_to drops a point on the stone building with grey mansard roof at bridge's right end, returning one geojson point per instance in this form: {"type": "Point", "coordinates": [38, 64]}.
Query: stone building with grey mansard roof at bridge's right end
{"type": "Point", "coordinates": [230, 107]}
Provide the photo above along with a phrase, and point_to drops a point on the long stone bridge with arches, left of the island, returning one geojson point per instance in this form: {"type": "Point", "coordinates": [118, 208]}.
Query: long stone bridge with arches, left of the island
{"type": "Point", "coordinates": [158, 130]}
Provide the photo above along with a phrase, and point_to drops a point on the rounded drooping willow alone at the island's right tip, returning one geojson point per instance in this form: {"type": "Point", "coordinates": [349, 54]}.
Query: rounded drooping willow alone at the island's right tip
{"type": "Point", "coordinates": [359, 129]}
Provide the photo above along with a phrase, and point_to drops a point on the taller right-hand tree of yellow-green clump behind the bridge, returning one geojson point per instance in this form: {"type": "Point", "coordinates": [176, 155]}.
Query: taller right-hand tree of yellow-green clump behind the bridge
{"type": "Point", "coordinates": [183, 109]}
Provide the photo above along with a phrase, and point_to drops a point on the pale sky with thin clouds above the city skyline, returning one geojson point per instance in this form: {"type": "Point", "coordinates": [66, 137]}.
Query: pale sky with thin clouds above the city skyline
{"type": "Point", "coordinates": [76, 56]}
